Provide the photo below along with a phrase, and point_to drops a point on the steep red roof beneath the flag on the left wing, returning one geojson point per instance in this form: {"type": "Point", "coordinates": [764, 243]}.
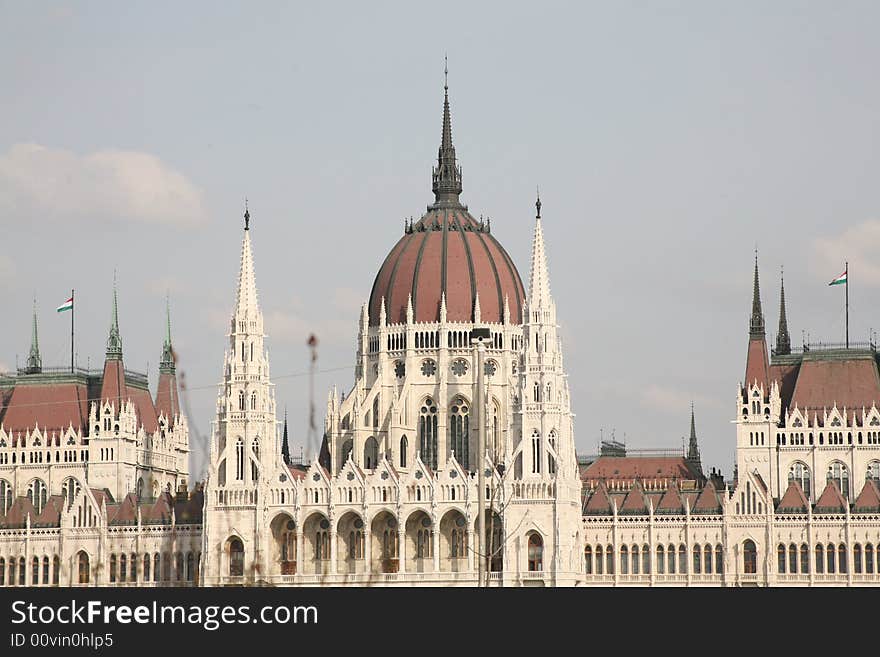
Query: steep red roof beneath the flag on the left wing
{"type": "Point", "coordinates": [53, 407]}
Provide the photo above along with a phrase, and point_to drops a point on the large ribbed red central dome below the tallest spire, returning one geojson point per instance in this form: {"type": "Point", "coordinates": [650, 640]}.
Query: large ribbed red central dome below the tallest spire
{"type": "Point", "coordinates": [449, 251]}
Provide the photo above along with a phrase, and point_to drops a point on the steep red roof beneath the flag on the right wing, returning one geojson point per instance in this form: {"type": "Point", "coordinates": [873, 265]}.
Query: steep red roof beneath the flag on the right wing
{"type": "Point", "coordinates": [821, 383]}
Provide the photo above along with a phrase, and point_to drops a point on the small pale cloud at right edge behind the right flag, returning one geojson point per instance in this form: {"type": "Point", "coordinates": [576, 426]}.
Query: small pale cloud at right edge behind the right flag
{"type": "Point", "coordinates": [858, 245]}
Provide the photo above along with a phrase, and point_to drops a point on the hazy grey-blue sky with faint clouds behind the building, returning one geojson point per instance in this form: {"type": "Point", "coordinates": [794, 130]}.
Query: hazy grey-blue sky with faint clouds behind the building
{"type": "Point", "coordinates": [668, 139]}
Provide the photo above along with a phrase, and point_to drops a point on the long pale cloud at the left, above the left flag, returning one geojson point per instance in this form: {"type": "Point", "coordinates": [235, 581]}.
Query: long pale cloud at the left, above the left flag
{"type": "Point", "coordinates": [109, 185]}
